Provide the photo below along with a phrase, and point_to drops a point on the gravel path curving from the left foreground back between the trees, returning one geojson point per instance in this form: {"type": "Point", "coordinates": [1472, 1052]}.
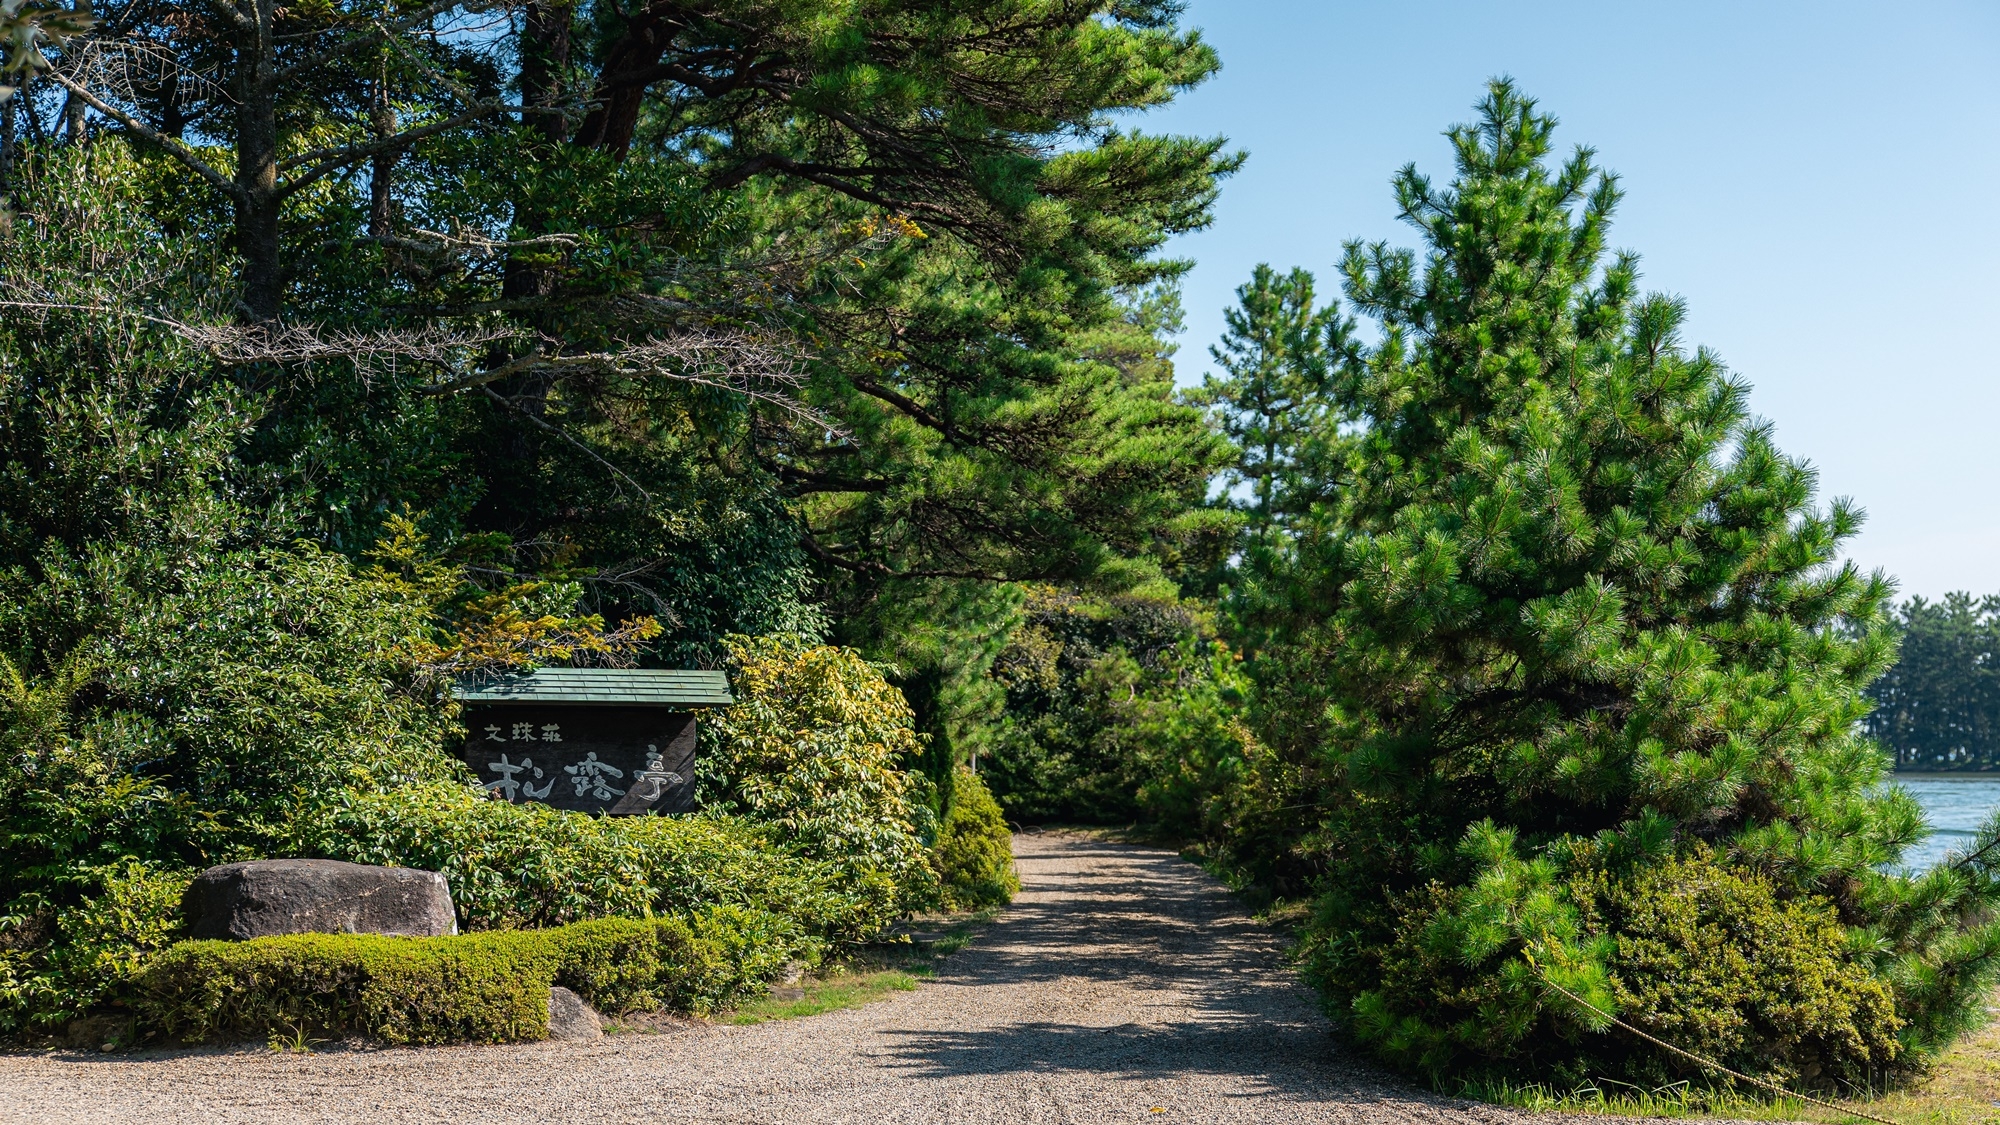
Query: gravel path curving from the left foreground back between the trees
{"type": "Point", "coordinates": [1121, 982]}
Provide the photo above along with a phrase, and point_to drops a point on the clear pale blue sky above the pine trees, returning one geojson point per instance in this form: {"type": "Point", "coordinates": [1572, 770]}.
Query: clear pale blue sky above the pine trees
{"type": "Point", "coordinates": [1819, 181]}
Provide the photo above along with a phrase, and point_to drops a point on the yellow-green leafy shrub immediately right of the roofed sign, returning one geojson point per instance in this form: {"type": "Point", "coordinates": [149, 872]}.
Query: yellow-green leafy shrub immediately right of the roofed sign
{"type": "Point", "coordinates": [815, 752]}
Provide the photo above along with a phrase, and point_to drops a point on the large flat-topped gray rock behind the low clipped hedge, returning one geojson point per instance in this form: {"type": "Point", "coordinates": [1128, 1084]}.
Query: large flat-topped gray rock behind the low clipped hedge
{"type": "Point", "coordinates": [269, 898]}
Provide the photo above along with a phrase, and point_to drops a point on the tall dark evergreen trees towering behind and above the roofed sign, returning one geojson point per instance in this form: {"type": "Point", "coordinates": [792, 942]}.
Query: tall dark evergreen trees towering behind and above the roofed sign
{"type": "Point", "coordinates": [923, 217]}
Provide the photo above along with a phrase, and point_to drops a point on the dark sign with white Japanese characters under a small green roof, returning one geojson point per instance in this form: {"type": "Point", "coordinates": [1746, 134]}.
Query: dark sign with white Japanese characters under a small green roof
{"type": "Point", "coordinates": [589, 742]}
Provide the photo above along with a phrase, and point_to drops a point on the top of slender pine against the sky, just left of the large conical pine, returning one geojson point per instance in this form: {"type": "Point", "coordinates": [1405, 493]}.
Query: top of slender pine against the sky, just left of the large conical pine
{"type": "Point", "coordinates": [1275, 401]}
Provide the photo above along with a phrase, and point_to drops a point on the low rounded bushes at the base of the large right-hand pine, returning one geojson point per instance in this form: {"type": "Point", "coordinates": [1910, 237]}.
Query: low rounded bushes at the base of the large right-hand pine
{"type": "Point", "coordinates": [1699, 954]}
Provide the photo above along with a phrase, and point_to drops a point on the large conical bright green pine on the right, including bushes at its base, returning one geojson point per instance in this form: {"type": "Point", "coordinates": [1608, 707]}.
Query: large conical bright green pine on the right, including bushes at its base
{"type": "Point", "coordinates": [1589, 676]}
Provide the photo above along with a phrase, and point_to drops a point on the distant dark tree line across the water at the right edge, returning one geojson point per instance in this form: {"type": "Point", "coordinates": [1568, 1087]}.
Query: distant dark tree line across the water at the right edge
{"type": "Point", "coordinates": [1939, 708]}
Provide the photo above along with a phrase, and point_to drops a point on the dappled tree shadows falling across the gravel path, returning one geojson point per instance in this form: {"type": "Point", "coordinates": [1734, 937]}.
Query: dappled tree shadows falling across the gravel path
{"type": "Point", "coordinates": [1149, 922]}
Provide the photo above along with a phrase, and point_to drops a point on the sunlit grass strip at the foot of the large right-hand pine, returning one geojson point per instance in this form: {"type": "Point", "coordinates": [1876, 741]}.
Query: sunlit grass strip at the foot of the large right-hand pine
{"type": "Point", "coordinates": [1963, 1092]}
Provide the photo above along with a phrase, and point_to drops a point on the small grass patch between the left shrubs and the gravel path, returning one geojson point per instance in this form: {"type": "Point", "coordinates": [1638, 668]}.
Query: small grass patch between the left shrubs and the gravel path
{"type": "Point", "coordinates": [871, 972]}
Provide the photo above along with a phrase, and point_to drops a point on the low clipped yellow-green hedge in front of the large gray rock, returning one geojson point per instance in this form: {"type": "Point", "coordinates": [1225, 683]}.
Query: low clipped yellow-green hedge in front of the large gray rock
{"type": "Point", "coordinates": [481, 988]}
